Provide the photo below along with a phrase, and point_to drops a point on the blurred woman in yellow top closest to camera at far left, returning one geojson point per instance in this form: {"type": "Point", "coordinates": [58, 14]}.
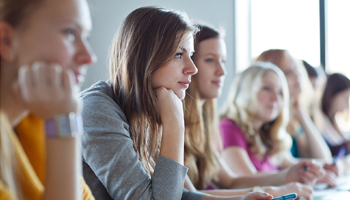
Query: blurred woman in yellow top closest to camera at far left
{"type": "Point", "coordinates": [44, 50]}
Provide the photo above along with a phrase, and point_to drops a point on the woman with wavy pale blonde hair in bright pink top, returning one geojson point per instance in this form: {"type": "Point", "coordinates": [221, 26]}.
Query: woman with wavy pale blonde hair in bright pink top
{"type": "Point", "coordinates": [253, 124]}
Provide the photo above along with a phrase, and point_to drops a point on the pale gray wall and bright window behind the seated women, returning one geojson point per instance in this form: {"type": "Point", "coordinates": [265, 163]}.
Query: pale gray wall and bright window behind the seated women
{"type": "Point", "coordinates": [317, 31]}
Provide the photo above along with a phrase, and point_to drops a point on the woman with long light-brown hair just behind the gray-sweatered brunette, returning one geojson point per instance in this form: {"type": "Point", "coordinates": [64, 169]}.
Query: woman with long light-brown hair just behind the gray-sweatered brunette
{"type": "Point", "coordinates": [202, 141]}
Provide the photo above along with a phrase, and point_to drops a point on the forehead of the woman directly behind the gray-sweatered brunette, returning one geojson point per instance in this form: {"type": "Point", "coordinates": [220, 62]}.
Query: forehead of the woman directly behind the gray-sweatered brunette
{"type": "Point", "coordinates": [214, 46]}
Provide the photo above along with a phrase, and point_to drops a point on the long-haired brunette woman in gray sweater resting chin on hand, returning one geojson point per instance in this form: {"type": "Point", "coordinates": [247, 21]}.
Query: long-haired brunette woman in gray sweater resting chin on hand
{"type": "Point", "coordinates": [133, 124]}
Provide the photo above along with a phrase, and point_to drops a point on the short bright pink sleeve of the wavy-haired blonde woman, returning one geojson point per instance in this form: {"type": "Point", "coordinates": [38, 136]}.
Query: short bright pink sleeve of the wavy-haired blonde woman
{"type": "Point", "coordinates": [232, 135]}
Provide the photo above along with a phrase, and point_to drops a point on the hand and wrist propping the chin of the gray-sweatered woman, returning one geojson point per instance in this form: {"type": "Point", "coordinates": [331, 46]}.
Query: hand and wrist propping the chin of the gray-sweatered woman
{"type": "Point", "coordinates": [170, 108]}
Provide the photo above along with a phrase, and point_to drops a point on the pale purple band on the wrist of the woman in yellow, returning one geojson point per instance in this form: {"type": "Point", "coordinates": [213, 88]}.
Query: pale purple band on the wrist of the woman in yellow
{"type": "Point", "coordinates": [63, 126]}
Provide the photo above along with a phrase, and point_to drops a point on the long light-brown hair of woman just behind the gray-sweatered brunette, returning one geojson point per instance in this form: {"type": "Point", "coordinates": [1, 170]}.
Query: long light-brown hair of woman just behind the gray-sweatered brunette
{"type": "Point", "coordinates": [201, 134]}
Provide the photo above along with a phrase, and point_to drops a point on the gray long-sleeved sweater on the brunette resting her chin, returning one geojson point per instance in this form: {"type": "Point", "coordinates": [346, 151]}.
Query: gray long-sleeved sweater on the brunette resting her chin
{"type": "Point", "coordinates": [111, 166]}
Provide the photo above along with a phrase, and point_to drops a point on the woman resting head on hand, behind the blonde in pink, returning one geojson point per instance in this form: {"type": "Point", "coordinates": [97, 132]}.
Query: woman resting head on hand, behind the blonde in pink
{"type": "Point", "coordinates": [307, 139]}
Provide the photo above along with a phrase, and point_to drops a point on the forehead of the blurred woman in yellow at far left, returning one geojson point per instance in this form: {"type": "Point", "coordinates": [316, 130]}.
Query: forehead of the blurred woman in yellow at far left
{"type": "Point", "coordinates": [60, 11]}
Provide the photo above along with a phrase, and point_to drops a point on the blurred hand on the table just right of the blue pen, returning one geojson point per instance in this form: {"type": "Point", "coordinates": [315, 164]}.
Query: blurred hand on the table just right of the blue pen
{"type": "Point", "coordinates": [301, 190]}
